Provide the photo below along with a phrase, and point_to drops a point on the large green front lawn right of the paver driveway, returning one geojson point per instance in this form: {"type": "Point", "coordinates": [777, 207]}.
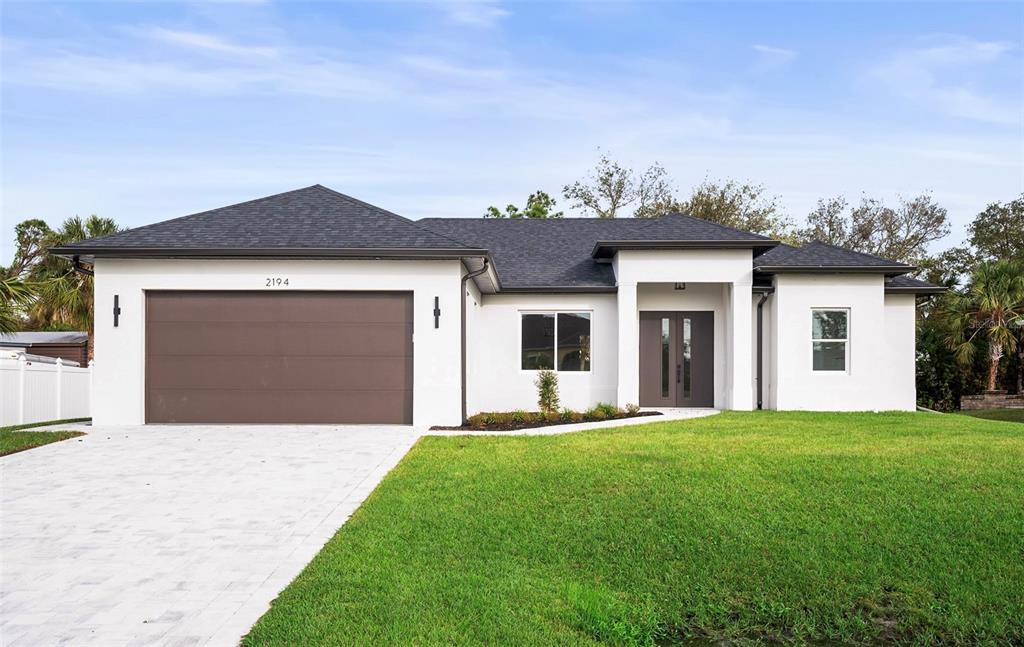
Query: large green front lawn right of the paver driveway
{"type": "Point", "coordinates": [800, 528]}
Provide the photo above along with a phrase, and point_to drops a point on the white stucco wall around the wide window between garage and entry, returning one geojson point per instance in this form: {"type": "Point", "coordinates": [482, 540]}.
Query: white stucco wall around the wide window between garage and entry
{"type": "Point", "coordinates": [496, 379]}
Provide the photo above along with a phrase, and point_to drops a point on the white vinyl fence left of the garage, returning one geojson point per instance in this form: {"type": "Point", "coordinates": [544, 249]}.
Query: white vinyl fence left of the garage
{"type": "Point", "coordinates": [35, 391]}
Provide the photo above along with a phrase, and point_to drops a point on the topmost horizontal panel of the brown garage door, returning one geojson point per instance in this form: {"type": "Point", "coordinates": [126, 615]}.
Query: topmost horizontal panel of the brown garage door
{"type": "Point", "coordinates": [281, 307]}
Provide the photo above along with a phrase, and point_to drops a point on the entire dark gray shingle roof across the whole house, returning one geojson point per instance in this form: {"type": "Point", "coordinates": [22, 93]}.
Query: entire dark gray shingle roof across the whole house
{"type": "Point", "coordinates": [528, 254]}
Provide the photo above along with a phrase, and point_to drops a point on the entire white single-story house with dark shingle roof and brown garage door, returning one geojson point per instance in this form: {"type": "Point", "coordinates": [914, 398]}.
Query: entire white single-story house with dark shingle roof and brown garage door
{"type": "Point", "coordinates": [311, 307]}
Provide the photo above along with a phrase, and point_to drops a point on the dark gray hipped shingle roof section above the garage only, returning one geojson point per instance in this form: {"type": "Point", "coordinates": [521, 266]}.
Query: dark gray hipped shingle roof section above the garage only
{"type": "Point", "coordinates": [315, 218]}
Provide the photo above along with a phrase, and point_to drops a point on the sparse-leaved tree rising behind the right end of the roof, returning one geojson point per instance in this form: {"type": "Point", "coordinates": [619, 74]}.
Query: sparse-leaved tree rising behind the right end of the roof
{"type": "Point", "coordinates": [902, 234]}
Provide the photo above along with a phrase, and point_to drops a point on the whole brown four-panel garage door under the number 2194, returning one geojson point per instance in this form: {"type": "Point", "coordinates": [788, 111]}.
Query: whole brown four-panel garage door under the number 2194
{"type": "Point", "coordinates": [281, 358]}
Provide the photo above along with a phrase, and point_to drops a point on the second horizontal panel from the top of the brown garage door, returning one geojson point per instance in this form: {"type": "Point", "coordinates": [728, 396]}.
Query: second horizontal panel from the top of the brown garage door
{"type": "Point", "coordinates": [267, 338]}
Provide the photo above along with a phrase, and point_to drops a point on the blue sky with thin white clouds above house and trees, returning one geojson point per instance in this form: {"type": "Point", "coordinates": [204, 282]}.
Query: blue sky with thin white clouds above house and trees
{"type": "Point", "coordinates": [143, 112]}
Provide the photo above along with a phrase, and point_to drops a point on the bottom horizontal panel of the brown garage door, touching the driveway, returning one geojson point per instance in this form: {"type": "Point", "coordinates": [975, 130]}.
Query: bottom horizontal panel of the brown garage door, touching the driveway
{"type": "Point", "coordinates": [301, 407]}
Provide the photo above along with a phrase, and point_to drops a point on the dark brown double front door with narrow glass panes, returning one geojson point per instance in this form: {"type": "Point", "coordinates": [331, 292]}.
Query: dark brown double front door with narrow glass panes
{"type": "Point", "coordinates": [677, 359]}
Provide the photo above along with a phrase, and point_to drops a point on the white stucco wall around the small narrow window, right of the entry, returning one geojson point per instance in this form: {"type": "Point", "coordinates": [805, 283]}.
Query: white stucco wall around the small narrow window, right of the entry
{"type": "Point", "coordinates": [880, 372]}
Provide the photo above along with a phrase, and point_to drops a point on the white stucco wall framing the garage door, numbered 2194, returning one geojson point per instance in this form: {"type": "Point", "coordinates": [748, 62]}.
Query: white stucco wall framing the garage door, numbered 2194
{"type": "Point", "coordinates": [120, 353]}
